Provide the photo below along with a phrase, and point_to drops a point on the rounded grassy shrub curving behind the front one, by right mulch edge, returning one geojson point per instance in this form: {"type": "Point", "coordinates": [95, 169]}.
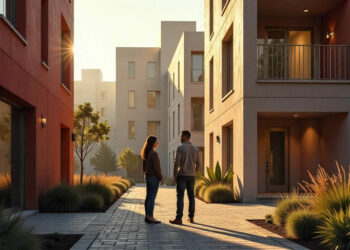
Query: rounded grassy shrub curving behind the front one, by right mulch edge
{"type": "Point", "coordinates": [286, 206]}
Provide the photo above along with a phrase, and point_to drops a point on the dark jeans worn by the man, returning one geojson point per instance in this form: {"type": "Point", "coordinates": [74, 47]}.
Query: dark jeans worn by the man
{"type": "Point", "coordinates": [182, 183]}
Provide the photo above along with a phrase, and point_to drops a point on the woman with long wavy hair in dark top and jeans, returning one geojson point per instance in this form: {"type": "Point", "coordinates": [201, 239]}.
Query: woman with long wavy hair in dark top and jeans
{"type": "Point", "coordinates": [153, 173]}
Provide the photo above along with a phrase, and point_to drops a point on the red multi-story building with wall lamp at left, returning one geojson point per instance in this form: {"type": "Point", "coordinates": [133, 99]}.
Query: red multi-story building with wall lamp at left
{"type": "Point", "coordinates": [36, 99]}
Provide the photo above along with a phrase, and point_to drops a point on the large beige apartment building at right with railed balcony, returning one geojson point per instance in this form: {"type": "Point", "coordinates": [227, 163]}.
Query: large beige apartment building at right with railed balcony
{"type": "Point", "coordinates": [277, 90]}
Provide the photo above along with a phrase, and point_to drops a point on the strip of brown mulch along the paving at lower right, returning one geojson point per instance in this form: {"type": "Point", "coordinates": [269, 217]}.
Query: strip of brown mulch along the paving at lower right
{"type": "Point", "coordinates": [314, 244]}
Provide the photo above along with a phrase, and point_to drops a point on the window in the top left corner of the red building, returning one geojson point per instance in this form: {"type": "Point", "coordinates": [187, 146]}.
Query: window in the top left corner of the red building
{"type": "Point", "coordinates": [15, 13]}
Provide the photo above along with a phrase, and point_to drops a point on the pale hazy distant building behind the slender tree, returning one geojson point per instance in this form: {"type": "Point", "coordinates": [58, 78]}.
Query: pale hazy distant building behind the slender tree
{"type": "Point", "coordinates": [101, 94]}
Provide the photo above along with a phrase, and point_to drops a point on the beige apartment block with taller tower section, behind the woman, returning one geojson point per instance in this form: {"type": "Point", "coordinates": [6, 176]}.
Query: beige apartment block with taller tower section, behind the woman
{"type": "Point", "coordinates": [142, 104]}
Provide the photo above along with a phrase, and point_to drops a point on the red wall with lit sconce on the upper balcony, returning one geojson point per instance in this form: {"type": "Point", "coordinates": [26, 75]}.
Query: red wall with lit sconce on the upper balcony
{"type": "Point", "coordinates": [338, 21]}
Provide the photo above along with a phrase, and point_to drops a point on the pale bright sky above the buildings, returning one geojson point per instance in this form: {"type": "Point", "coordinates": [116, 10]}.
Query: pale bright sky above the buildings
{"type": "Point", "coordinates": [102, 25]}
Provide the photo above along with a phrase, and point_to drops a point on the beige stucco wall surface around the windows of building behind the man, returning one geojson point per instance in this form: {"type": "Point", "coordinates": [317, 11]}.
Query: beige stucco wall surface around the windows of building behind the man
{"type": "Point", "coordinates": [189, 42]}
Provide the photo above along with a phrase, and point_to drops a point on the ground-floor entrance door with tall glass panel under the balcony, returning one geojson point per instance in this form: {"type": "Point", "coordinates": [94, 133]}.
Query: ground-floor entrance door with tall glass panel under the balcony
{"type": "Point", "coordinates": [277, 160]}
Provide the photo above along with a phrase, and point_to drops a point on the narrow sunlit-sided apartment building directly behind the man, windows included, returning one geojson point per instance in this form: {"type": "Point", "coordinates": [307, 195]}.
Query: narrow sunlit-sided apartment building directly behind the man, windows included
{"type": "Point", "coordinates": [186, 94]}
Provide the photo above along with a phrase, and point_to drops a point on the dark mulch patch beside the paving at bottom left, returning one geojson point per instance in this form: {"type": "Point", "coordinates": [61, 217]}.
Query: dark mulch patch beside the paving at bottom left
{"type": "Point", "coordinates": [65, 241]}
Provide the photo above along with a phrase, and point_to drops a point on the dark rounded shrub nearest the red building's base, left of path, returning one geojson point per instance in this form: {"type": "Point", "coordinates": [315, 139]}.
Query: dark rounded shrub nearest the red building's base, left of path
{"type": "Point", "coordinates": [60, 199]}
